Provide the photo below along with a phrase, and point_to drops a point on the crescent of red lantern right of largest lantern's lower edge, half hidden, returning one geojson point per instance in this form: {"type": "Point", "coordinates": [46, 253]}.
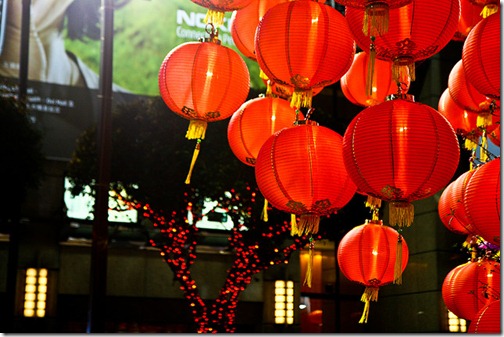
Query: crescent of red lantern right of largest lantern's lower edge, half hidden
{"type": "Point", "coordinates": [451, 207]}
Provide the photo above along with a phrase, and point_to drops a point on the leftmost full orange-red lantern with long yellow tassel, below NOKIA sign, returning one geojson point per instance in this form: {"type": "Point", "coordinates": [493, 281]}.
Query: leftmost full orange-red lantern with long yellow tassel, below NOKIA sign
{"type": "Point", "coordinates": [203, 82]}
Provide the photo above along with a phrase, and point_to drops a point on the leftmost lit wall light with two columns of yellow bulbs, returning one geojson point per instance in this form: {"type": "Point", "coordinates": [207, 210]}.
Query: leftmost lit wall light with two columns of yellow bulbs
{"type": "Point", "coordinates": [35, 292]}
